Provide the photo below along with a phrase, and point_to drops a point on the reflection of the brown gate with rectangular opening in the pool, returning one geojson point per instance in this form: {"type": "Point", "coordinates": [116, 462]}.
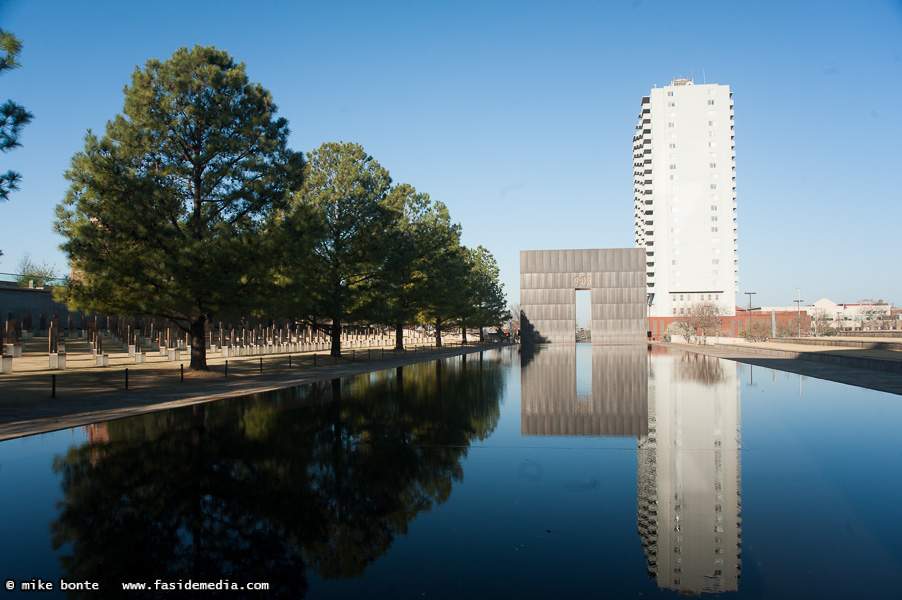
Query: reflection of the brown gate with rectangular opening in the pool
{"type": "Point", "coordinates": [613, 400]}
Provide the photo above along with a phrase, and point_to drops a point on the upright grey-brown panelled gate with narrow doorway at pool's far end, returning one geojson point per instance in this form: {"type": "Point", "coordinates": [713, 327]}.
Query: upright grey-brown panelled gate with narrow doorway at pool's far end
{"type": "Point", "coordinates": [616, 281]}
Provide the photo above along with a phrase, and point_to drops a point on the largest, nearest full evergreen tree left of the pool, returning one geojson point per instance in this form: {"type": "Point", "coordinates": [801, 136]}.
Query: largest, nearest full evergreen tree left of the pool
{"type": "Point", "coordinates": [164, 212]}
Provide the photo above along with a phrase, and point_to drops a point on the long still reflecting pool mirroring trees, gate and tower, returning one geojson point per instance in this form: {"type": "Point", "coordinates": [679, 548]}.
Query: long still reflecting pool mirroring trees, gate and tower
{"type": "Point", "coordinates": [565, 471]}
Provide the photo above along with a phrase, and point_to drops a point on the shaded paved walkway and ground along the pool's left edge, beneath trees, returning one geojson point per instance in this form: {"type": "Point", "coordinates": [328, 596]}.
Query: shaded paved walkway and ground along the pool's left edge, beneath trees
{"type": "Point", "coordinates": [26, 411]}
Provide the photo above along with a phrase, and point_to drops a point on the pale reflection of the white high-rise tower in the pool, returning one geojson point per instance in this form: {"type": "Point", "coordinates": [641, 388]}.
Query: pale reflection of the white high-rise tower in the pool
{"type": "Point", "coordinates": [688, 475]}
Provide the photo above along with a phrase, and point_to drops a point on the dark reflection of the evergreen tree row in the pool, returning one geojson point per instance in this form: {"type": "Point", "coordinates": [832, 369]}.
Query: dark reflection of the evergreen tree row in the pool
{"type": "Point", "coordinates": [261, 489]}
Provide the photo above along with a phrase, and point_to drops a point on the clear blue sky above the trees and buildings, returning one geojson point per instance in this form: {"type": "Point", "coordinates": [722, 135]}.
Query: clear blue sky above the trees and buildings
{"type": "Point", "coordinates": [519, 115]}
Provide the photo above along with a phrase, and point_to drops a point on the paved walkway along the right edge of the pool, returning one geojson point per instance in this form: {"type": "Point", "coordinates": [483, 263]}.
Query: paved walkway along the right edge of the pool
{"type": "Point", "coordinates": [833, 363]}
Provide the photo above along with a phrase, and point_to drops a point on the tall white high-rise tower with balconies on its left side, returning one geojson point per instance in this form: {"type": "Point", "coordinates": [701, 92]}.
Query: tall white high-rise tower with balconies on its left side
{"type": "Point", "coordinates": [685, 199]}
